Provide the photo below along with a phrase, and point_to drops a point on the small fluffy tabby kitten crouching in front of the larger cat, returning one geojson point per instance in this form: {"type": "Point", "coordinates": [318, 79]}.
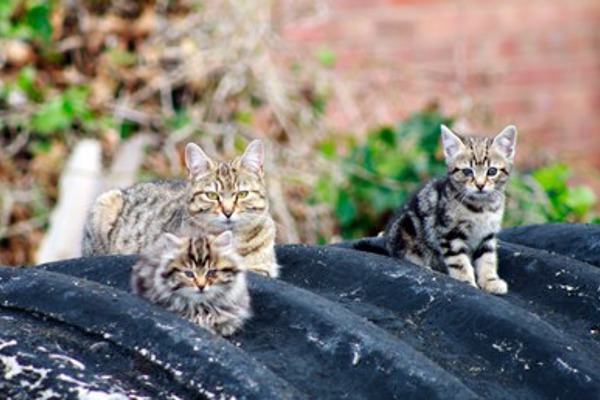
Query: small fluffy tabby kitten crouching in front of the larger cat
{"type": "Point", "coordinates": [199, 278]}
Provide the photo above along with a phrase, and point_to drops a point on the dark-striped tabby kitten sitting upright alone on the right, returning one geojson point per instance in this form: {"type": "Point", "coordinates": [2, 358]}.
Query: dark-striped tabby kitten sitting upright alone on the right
{"type": "Point", "coordinates": [451, 223]}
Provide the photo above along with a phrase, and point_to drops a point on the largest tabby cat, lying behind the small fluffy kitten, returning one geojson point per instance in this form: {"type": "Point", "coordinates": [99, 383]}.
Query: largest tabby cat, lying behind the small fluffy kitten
{"type": "Point", "coordinates": [217, 196]}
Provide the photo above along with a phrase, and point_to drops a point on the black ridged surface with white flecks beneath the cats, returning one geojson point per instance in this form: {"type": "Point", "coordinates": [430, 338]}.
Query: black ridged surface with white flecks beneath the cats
{"type": "Point", "coordinates": [343, 321]}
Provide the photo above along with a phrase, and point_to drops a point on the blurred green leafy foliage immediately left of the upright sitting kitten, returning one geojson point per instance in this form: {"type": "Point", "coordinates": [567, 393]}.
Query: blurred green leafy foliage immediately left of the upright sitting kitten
{"type": "Point", "coordinates": [378, 175]}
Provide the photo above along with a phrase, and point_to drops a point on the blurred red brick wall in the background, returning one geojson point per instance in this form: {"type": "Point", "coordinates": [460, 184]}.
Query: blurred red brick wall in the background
{"type": "Point", "coordinates": [534, 63]}
